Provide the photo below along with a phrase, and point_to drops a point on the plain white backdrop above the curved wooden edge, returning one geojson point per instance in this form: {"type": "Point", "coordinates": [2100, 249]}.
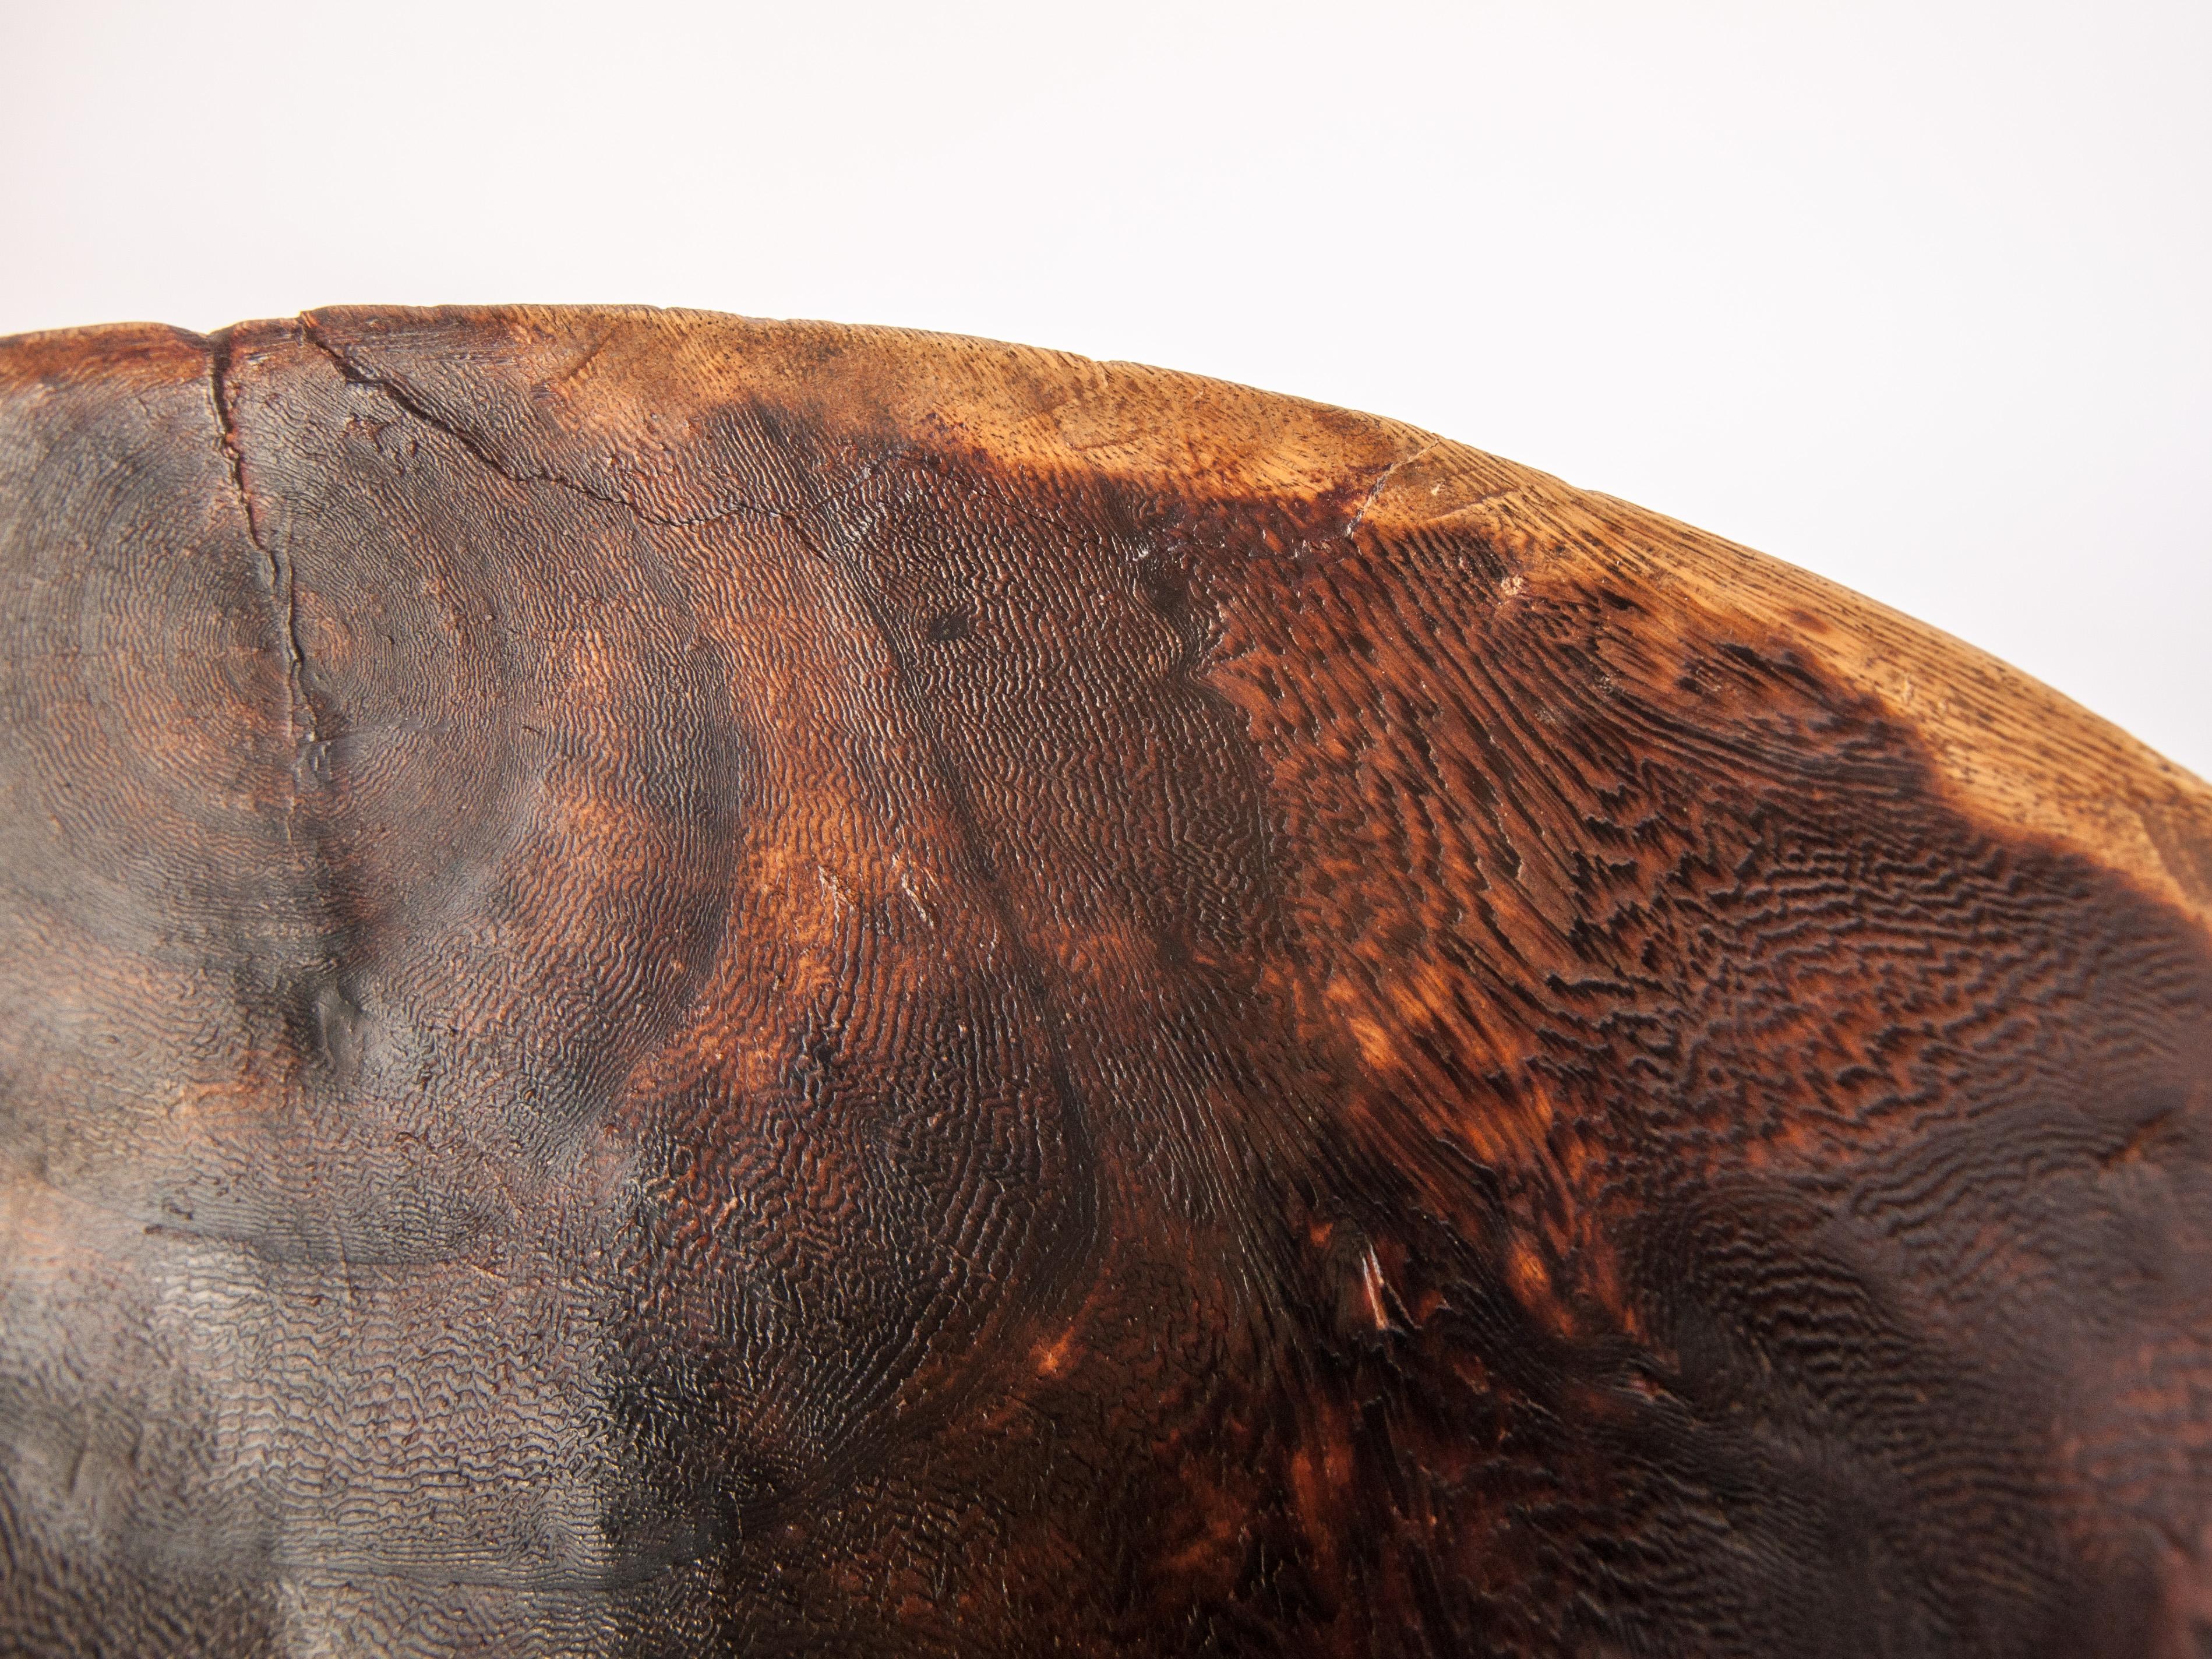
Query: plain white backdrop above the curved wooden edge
{"type": "Point", "coordinates": [1917, 295]}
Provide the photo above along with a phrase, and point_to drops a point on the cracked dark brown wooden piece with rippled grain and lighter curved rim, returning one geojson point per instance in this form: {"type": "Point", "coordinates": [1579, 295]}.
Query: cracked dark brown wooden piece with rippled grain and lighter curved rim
{"type": "Point", "coordinates": [678, 985]}
